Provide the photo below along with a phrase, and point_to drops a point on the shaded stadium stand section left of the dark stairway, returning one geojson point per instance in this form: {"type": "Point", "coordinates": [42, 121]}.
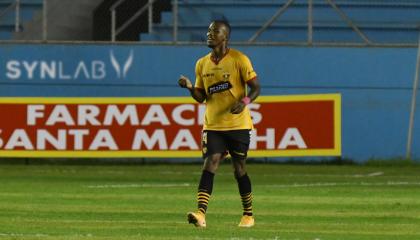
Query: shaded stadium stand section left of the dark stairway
{"type": "Point", "coordinates": [67, 20]}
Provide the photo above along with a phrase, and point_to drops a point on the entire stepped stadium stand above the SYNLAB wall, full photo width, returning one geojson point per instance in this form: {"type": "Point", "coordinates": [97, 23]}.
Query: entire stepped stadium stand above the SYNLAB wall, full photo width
{"type": "Point", "coordinates": [381, 21]}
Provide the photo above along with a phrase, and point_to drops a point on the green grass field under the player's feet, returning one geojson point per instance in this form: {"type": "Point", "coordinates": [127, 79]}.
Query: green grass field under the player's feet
{"type": "Point", "coordinates": [291, 202]}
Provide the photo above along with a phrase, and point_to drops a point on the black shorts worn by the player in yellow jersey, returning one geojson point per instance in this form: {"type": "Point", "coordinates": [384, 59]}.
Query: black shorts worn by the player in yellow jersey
{"type": "Point", "coordinates": [234, 142]}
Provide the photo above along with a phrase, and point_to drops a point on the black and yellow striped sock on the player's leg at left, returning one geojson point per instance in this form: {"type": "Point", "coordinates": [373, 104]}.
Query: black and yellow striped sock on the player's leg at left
{"type": "Point", "coordinates": [205, 189]}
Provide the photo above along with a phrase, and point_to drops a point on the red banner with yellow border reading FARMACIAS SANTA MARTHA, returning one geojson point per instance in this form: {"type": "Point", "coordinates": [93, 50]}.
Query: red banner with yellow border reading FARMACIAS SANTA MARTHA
{"type": "Point", "coordinates": [302, 125]}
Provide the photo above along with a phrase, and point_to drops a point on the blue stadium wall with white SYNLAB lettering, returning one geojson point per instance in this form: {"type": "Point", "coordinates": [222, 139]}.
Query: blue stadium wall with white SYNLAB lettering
{"type": "Point", "coordinates": [375, 83]}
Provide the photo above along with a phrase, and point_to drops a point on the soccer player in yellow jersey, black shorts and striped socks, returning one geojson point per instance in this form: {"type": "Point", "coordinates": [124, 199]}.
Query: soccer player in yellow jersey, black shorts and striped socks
{"type": "Point", "coordinates": [222, 80]}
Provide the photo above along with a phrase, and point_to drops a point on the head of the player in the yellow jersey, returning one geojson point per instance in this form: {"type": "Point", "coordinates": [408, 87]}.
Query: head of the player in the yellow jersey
{"type": "Point", "coordinates": [218, 33]}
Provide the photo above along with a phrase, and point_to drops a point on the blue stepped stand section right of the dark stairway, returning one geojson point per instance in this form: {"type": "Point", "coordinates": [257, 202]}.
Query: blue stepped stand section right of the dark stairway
{"type": "Point", "coordinates": [382, 21]}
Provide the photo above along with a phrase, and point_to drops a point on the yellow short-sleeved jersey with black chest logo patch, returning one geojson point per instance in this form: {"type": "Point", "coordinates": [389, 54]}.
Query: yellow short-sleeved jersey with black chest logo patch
{"type": "Point", "coordinates": [225, 83]}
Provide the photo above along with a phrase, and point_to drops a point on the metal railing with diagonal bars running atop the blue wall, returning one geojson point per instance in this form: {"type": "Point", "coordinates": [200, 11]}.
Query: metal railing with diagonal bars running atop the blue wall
{"type": "Point", "coordinates": [253, 40]}
